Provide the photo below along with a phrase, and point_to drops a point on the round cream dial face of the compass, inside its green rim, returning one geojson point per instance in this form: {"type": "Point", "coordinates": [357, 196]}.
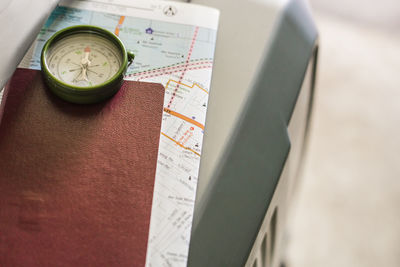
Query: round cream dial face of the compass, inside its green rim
{"type": "Point", "coordinates": [83, 59]}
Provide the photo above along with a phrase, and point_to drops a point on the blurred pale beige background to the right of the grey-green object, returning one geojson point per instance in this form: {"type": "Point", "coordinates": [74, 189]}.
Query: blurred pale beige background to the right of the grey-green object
{"type": "Point", "coordinates": [347, 211]}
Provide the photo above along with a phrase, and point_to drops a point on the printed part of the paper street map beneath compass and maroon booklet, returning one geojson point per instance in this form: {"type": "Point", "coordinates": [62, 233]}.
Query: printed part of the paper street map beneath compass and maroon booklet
{"type": "Point", "coordinates": [180, 57]}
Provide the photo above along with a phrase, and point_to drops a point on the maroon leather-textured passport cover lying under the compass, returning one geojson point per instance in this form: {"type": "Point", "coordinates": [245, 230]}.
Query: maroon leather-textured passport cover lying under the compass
{"type": "Point", "coordinates": [76, 181]}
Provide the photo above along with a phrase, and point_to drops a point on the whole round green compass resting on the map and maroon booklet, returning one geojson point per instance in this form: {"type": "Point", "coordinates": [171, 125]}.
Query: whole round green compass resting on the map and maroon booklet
{"type": "Point", "coordinates": [84, 64]}
